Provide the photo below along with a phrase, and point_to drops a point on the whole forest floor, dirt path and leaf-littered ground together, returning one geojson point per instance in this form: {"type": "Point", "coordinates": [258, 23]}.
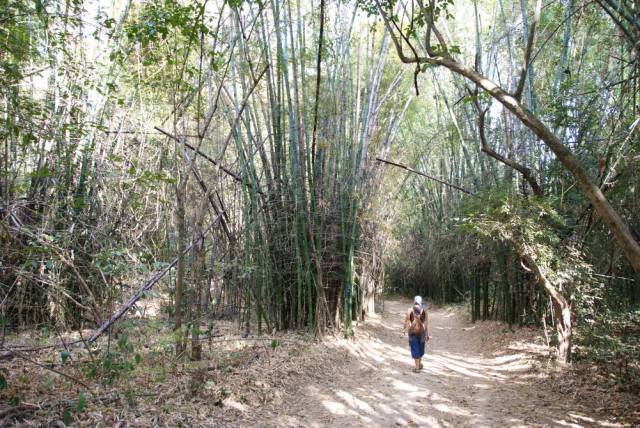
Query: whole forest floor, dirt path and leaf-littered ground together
{"type": "Point", "coordinates": [480, 374]}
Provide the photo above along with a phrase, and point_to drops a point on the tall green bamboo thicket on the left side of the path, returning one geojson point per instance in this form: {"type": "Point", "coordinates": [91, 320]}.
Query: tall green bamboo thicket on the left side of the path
{"type": "Point", "coordinates": [232, 138]}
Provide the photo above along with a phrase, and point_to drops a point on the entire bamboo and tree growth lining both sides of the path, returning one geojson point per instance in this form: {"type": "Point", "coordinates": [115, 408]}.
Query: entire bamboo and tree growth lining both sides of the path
{"type": "Point", "coordinates": [237, 158]}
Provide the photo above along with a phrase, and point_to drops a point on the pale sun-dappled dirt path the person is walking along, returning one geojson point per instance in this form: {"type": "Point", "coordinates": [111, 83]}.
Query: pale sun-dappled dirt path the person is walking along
{"type": "Point", "coordinates": [461, 384]}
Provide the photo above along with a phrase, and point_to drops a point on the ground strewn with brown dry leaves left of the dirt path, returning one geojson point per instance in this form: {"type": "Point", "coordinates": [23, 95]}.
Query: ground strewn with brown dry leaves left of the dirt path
{"type": "Point", "coordinates": [144, 385]}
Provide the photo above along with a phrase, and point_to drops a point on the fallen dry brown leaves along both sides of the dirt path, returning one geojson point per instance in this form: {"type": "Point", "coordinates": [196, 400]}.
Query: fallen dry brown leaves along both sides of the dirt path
{"type": "Point", "coordinates": [263, 379]}
